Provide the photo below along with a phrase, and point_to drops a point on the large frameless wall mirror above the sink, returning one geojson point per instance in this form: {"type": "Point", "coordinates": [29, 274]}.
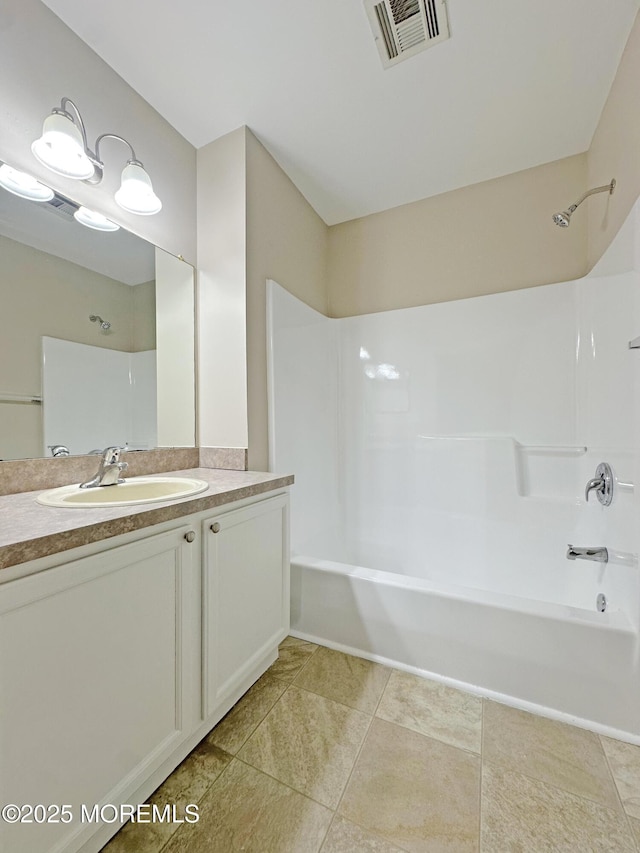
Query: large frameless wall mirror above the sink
{"type": "Point", "coordinates": [97, 342]}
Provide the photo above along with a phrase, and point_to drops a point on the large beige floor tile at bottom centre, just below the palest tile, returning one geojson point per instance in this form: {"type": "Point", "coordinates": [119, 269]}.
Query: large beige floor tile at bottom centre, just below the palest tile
{"type": "Point", "coordinates": [414, 791]}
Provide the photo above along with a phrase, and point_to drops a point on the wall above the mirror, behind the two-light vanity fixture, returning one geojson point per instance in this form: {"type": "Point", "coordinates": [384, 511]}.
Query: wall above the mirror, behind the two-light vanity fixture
{"type": "Point", "coordinates": [42, 60]}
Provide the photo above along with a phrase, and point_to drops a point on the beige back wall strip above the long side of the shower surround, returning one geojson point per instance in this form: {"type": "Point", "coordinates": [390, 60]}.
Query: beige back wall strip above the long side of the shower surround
{"type": "Point", "coordinates": [489, 237]}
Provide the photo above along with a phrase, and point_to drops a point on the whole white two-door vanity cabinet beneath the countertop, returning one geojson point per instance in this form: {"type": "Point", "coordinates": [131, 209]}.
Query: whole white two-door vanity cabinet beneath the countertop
{"type": "Point", "coordinates": [117, 658]}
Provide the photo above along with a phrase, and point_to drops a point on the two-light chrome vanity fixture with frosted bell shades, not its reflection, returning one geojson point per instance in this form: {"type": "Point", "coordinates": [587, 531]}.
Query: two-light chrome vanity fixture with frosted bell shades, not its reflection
{"type": "Point", "coordinates": [64, 149]}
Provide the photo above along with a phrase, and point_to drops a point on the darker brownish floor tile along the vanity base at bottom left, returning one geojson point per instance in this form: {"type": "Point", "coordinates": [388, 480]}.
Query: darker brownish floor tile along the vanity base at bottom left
{"type": "Point", "coordinates": [188, 783]}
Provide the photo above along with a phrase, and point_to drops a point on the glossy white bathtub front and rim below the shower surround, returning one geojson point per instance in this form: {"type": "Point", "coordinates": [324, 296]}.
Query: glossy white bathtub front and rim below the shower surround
{"type": "Point", "coordinates": [567, 663]}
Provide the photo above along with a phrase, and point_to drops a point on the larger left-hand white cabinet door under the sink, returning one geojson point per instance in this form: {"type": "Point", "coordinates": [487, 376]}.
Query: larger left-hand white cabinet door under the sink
{"type": "Point", "coordinates": [93, 656]}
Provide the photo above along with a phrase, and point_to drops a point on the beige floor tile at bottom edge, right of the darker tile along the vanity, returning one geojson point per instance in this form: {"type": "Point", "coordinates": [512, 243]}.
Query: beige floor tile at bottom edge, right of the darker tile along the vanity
{"type": "Point", "coordinates": [245, 810]}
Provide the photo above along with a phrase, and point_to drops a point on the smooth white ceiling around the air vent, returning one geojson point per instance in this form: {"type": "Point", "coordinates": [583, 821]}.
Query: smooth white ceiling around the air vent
{"type": "Point", "coordinates": [520, 83]}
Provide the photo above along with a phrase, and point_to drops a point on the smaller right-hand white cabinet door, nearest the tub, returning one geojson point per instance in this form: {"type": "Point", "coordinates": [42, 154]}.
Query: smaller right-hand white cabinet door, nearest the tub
{"type": "Point", "coordinates": [246, 596]}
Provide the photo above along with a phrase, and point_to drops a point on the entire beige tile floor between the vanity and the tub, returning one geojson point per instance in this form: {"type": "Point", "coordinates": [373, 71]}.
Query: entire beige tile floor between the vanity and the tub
{"type": "Point", "coordinates": [332, 753]}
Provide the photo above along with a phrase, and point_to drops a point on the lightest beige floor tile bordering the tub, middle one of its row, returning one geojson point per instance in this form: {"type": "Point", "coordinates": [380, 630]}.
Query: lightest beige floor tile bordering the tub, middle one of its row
{"type": "Point", "coordinates": [433, 709]}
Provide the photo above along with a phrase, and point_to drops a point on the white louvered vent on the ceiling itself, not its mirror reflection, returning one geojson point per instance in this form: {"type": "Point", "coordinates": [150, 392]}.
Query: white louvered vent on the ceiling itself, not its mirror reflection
{"type": "Point", "coordinates": [403, 28]}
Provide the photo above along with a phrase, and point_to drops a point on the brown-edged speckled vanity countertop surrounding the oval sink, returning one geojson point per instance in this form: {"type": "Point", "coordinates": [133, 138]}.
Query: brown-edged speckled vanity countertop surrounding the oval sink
{"type": "Point", "coordinates": [29, 530]}
